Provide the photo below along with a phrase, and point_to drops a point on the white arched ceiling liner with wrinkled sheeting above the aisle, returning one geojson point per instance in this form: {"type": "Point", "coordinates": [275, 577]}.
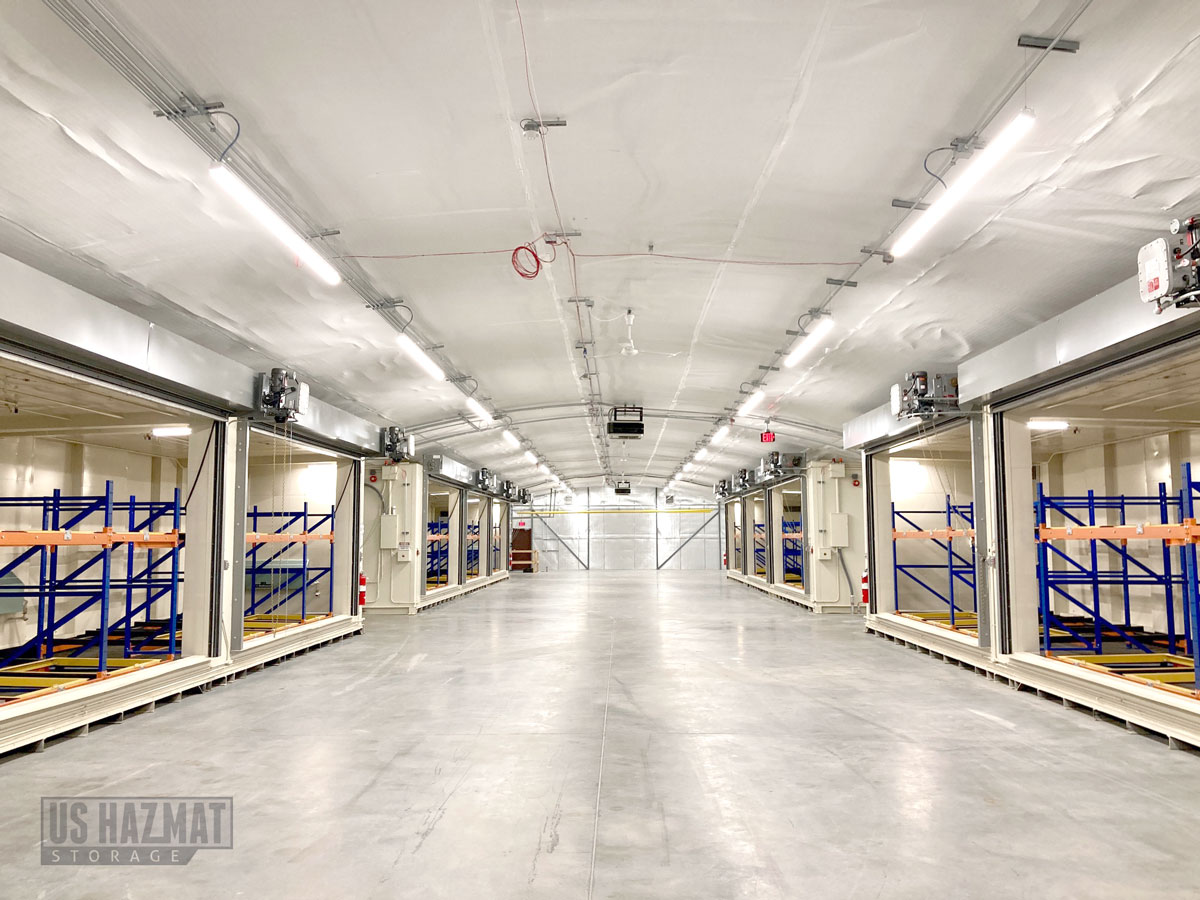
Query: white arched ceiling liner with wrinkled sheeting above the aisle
{"type": "Point", "coordinates": [761, 130]}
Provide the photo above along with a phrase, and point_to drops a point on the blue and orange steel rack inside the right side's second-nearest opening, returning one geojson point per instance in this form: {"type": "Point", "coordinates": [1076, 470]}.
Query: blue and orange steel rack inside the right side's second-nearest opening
{"type": "Point", "coordinates": [961, 571]}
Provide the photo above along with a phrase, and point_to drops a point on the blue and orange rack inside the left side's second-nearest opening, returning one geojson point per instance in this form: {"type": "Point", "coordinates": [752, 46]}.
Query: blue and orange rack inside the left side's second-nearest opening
{"type": "Point", "coordinates": [286, 583]}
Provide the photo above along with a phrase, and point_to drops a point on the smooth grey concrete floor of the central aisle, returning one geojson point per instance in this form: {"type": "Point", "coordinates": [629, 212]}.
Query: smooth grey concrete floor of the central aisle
{"type": "Point", "coordinates": [621, 735]}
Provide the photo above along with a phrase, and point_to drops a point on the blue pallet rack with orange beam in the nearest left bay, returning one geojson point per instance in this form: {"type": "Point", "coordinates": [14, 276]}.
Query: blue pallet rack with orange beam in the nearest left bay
{"type": "Point", "coordinates": [151, 575]}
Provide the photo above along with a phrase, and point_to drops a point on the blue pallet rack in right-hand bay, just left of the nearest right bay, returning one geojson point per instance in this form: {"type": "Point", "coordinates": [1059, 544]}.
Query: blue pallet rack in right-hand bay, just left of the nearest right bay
{"type": "Point", "coordinates": [958, 568]}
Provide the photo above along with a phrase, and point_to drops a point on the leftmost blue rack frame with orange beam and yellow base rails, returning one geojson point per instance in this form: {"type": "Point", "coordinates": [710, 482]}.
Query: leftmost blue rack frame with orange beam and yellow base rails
{"type": "Point", "coordinates": [71, 521]}
